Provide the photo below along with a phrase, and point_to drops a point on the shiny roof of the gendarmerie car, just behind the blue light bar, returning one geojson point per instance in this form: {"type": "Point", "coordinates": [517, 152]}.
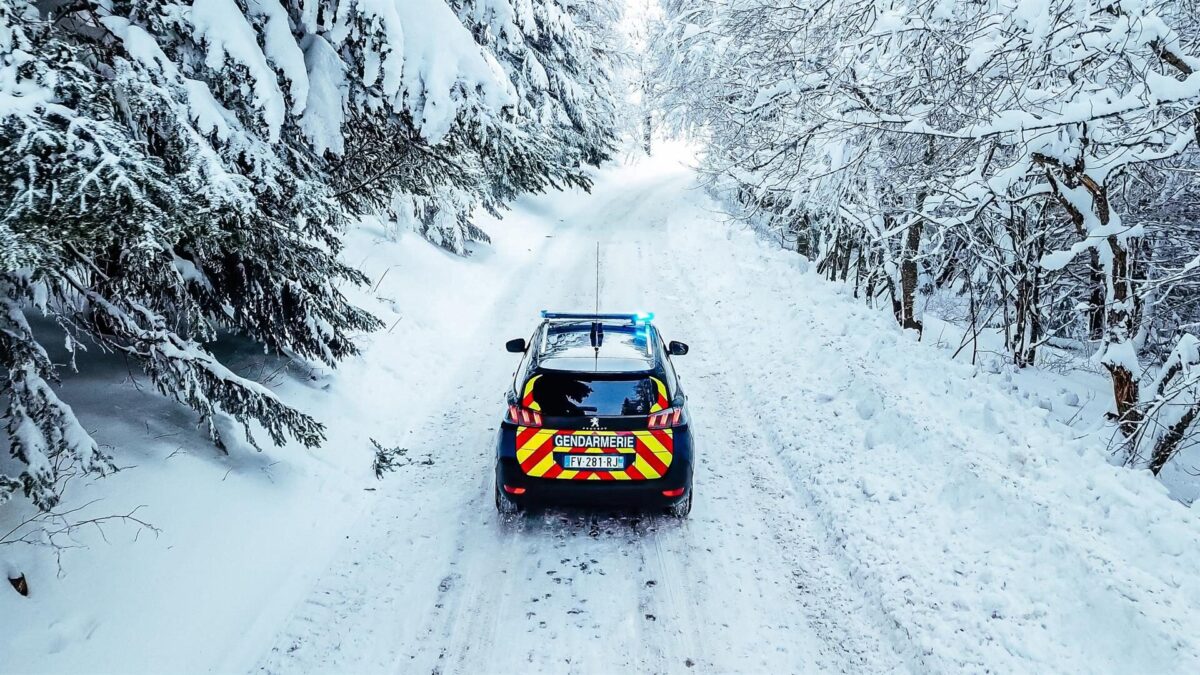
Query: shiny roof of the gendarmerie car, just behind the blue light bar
{"type": "Point", "coordinates": [597, 347]}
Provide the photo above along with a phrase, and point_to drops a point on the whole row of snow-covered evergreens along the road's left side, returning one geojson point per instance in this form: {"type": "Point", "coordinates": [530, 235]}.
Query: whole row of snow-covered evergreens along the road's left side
{"type": "Point", "coordinates": [175, 171]}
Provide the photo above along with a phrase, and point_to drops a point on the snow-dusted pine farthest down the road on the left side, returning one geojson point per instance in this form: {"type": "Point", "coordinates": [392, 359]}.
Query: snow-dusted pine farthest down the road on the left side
{"type": "Point", "coordinates": [562, 120]}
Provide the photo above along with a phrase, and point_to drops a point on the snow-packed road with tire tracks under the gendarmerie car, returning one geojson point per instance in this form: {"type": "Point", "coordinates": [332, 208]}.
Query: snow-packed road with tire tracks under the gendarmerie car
{"type": "Point", "coordinates": [433, 581]}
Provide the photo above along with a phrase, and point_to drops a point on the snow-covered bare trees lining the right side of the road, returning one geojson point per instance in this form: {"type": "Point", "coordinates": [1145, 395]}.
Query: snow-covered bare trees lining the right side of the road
{"type": "Point", "coordinates": [1001, 148]}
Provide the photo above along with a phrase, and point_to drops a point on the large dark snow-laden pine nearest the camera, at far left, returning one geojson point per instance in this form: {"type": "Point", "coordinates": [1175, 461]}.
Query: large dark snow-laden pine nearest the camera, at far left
{"type": "Point", "coordinates": [152, 206]}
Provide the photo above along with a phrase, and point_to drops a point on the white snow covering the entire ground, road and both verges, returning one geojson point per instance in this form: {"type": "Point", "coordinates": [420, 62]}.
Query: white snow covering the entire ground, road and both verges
{"type": "Point", "coordinates": [863, 501]}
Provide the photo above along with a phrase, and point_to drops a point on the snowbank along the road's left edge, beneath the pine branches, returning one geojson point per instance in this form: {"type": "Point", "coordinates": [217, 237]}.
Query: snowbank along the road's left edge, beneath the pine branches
{"type": "Point", "coordinates": [241, 536]}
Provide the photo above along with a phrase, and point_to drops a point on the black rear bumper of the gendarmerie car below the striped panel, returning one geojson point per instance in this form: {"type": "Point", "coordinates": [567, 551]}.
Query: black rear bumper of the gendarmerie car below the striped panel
{"type": "Point", "coordinates": [595, 493]}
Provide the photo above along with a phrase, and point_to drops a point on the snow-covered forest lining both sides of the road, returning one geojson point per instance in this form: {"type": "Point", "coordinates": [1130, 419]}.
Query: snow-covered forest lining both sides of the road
{"type": "Point", "coordinates": [182, 175]}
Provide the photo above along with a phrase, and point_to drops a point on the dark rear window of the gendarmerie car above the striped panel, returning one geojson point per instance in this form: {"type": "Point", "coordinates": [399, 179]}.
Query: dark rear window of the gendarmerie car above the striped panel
{"type": "Point", "coordinates": [563, 395]}
